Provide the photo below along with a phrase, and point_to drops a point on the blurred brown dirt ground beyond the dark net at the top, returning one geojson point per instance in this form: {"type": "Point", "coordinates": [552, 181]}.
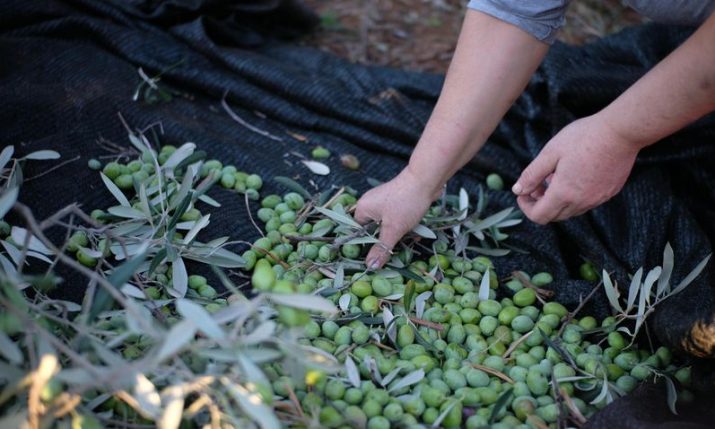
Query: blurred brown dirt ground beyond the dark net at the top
{"type": "Point", "coordinates": [421, 34]}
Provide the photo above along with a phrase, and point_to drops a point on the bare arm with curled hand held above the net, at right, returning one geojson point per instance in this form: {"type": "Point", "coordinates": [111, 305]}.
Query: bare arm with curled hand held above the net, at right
{"type": "Point", "coordinates": [588, 161]}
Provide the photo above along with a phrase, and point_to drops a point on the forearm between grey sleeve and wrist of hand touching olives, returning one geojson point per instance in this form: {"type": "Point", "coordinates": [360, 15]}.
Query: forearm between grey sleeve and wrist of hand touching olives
{"type": "Point", "coordinates": [492, 64]}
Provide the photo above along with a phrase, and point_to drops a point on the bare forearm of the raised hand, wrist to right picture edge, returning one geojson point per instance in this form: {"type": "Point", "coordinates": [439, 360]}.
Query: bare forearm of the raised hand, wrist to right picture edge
{"type": "Point", "coordinates": [676, 92]}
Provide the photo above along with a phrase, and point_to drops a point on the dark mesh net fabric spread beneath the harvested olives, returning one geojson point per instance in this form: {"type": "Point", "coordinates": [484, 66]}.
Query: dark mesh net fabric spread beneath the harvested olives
{"type": "Point", "coordinates": [70, 67]}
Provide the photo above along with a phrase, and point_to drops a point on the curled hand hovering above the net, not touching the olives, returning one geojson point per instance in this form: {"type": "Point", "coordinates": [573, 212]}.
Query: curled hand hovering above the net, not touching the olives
{"type": "Point", "coordinates": [581, 167]}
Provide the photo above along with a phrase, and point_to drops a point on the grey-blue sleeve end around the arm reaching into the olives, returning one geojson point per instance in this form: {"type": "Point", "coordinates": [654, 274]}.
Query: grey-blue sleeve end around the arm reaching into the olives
{"type": "Point", "coordinates": [542, 19]}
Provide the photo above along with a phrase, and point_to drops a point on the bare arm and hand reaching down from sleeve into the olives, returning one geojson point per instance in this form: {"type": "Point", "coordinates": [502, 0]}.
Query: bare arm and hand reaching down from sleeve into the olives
{"type": "Point", "coordinates": [491, 66]}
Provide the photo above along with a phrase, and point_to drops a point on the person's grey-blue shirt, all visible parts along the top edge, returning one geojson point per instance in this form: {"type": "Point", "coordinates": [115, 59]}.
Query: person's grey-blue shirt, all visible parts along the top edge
{"type": "Point", "coordinates": [544, 18]}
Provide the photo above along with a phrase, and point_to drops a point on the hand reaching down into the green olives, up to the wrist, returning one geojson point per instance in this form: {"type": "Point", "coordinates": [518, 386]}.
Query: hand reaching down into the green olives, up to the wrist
{"type": "Point", "coordinates": [397, 206]}
